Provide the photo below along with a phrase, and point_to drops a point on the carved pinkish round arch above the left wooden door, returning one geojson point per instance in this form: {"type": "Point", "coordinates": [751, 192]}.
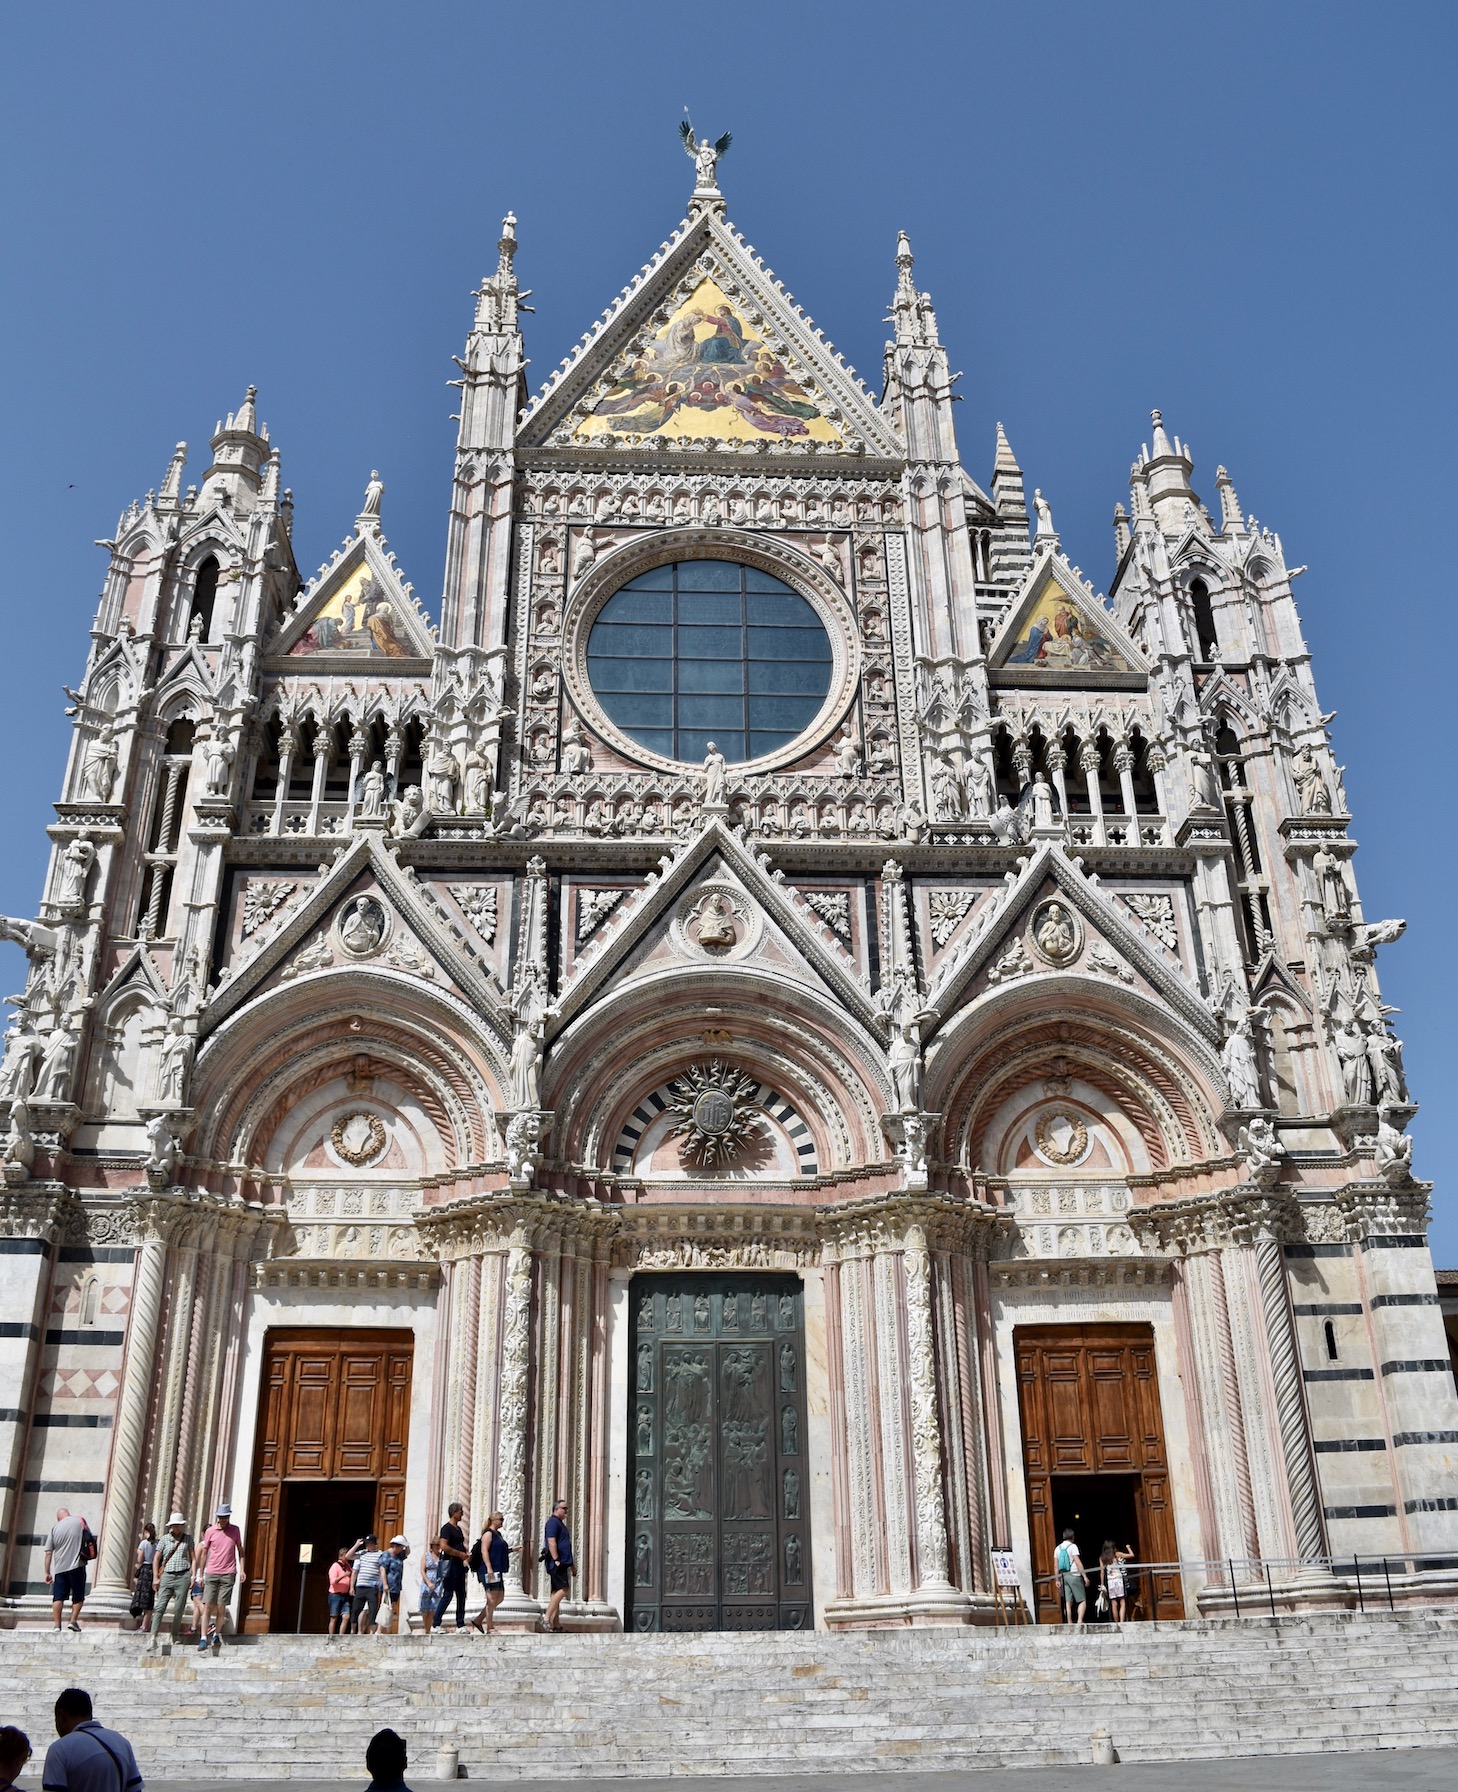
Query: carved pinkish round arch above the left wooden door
{"type": "Point", "coordinates": [268, 1073]}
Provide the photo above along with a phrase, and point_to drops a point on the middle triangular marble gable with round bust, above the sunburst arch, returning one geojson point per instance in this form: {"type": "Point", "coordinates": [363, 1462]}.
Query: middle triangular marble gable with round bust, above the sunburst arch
{"type": "Point", "coordinates": [667, 918]}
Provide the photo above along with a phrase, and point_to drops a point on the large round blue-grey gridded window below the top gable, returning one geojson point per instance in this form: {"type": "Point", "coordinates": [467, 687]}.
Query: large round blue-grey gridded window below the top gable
{"type": "Point", "coordinates": [710, 651]}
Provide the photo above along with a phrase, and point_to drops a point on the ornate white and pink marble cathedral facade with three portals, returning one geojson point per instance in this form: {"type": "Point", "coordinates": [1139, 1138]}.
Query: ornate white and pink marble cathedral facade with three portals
{"type": "Point", "coordinates": [785, 1021]}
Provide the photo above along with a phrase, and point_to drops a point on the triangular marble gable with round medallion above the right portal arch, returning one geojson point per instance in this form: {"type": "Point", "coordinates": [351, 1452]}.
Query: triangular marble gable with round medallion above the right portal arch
{"type": "Point", "coordinates": [1054, 920]}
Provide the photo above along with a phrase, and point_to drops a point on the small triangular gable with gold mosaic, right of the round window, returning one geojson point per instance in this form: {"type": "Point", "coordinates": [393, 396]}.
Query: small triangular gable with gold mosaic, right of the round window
{"type": "Point", "coordinates": [1059, 635]}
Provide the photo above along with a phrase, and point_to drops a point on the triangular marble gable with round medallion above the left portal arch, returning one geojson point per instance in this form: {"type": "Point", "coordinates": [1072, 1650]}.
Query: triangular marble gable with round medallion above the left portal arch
{"type": "Point", "coordinates": [400, 931]}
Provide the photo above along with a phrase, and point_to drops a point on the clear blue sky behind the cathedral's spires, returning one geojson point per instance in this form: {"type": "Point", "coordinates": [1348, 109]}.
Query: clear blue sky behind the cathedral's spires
{"type": "Point", "coordinates": [1244, 214]}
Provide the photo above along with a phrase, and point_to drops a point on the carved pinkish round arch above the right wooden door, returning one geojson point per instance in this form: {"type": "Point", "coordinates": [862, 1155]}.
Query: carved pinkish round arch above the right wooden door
{"type": "Point", "coordinates": [1154, 1085]}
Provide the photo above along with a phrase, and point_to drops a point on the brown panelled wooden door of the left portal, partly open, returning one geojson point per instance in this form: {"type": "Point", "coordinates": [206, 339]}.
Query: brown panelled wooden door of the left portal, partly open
{"type": "Point", "coordinates": [334, 1408]}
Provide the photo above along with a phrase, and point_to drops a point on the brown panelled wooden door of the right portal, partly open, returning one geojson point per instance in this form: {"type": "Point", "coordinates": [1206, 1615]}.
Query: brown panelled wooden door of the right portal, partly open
{"type": "Point", "coordinates": [1090, 1406]}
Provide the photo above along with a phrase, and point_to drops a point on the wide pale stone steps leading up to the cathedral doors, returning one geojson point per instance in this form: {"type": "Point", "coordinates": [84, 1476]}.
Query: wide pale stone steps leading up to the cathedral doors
{"type": "Point", "coordinates": [646, 1707]}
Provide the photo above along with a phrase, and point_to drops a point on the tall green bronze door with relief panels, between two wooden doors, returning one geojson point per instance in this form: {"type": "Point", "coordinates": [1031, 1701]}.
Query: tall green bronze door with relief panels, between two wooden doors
{"type": "Point", "coordinates": [719, 1497]}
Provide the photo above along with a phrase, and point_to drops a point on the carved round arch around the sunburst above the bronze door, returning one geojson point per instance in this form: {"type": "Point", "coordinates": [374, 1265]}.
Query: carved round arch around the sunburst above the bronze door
{"type": "Point", "coordinates": [823, 1067]}
